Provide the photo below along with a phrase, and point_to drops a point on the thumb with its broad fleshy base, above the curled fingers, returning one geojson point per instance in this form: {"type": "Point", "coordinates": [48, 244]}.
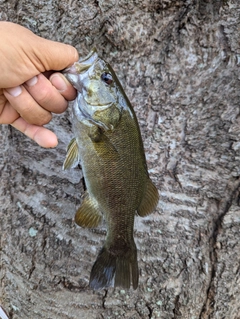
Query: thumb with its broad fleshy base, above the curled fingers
{"type": "Point", "coordinates": [26, 54]}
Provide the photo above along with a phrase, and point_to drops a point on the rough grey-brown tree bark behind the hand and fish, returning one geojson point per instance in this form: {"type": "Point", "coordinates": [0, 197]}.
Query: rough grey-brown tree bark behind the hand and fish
{"type": "Point", "coordinates": [179, 62]}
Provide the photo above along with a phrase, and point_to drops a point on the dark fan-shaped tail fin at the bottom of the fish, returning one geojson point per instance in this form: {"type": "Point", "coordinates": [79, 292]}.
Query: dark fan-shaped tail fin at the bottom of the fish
{"type": "Point", "coordinates": [121, 269]}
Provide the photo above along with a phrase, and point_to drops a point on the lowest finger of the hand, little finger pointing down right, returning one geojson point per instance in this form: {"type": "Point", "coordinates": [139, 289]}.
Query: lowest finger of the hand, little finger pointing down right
{"type": "Point", "coordinates": [39, 134]}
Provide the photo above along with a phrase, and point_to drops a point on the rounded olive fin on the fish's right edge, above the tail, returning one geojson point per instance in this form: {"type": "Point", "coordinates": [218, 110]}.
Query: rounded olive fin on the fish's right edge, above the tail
{"type": "Point", "coordinates": [150, 199]}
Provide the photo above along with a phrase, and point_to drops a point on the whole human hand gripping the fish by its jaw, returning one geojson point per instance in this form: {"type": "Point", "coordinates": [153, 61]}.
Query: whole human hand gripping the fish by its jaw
{"type": "Point", "coordinates": [27, 97]}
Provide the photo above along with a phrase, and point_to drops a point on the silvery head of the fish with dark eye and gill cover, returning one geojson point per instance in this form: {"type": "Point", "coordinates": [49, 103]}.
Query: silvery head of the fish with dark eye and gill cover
{"type": "Point", "coordinates": [100, 95]}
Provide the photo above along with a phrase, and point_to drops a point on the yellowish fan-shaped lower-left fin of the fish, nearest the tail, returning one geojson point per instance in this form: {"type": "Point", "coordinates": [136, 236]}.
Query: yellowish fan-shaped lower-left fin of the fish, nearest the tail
{"type": "Point", "coordinates": [88, 214]}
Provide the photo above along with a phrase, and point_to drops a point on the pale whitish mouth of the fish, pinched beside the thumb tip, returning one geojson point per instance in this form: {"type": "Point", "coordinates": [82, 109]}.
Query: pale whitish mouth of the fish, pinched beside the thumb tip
{"type": "Point", "coordinates": [82, 65]}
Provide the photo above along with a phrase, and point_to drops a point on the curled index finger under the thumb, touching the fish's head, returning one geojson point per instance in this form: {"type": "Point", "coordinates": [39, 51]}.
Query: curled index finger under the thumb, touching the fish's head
{"type": "Point", "coordinates": [63, 86]}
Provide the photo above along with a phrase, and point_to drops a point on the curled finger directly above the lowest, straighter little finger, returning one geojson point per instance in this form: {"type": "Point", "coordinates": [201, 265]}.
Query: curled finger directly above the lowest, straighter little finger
{"type": "Point", "coordinates": [26, 106]}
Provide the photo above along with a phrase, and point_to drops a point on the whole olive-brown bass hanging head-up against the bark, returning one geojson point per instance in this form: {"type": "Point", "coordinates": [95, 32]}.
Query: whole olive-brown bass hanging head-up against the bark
{"type": "Point", "coordinates": [107, 144]}
